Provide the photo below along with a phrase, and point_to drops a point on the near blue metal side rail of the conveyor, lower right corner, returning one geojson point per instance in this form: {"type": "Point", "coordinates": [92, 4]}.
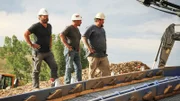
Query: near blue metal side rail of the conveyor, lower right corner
{"type": "Point", "coordinates": [146, 92]}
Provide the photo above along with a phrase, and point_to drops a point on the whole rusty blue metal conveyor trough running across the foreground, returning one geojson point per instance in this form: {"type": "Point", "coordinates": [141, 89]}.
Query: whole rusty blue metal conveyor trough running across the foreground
{"type": "Point", "coordinates": [124, 86]}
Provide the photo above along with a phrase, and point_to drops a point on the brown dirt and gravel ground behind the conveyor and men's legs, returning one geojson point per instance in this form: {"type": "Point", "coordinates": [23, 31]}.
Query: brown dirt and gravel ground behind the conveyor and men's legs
{"type": "Point", "coordinates": [115, 69]}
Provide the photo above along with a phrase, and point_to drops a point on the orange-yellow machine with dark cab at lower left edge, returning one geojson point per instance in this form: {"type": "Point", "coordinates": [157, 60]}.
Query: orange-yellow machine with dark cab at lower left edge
{"type": "Point", "coordinates": [8, 81]}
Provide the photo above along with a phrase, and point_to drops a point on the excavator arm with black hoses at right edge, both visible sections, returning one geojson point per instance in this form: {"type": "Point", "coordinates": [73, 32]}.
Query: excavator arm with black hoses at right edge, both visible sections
{"type": "Point", "coordinates": [169, 36]}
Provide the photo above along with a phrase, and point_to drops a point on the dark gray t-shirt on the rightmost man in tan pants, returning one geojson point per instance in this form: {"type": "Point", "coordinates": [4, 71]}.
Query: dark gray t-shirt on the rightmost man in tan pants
{"type": "Point", "coordinates": [97, 40]}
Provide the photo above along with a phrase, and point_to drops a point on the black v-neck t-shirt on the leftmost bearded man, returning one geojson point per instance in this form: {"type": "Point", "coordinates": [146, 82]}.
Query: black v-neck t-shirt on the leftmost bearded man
{"type": "Point", "coordinates": [43, 36]}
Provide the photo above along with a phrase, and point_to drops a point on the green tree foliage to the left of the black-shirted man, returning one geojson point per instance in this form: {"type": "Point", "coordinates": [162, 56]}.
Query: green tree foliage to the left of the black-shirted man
{"type": "Point", "coordinates": [15, 52]}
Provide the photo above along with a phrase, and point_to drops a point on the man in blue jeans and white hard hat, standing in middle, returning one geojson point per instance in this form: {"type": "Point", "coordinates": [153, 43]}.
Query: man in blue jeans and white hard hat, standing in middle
{"type": "Point", "coordinates": [70, 37]}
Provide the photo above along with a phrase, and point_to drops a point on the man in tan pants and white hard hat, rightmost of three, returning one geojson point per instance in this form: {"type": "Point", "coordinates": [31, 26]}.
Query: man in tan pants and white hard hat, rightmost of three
{"type": "Point", "coordinates": [95, 41]}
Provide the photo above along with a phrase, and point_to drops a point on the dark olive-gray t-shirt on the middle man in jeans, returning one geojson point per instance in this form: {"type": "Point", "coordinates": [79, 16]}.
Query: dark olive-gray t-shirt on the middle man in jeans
{"type": "Point", "coordinates": [72, 36]}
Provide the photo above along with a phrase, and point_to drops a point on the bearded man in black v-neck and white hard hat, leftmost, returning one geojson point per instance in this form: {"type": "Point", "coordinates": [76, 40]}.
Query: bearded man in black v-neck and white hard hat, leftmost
{"type": "Point", "coordinates": [42, 31]}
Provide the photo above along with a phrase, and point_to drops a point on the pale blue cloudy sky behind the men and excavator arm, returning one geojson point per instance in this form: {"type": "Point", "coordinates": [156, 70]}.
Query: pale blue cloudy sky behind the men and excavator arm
{"type": "Point", "coordinates": [133, 30]}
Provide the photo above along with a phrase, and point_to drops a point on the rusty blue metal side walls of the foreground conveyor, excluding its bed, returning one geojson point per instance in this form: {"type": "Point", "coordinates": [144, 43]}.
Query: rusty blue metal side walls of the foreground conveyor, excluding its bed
{"type": "Point", "coordinates": [134, 94]}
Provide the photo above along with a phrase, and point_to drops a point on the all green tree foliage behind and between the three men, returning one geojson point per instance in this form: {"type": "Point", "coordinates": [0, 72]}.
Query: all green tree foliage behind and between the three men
{"type": "Point", "coordinates": [18, 58]}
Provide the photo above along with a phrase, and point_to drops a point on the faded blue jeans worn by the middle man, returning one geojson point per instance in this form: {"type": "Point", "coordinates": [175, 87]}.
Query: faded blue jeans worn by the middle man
{"type": "Point", "coordinates": [73, 59]}
